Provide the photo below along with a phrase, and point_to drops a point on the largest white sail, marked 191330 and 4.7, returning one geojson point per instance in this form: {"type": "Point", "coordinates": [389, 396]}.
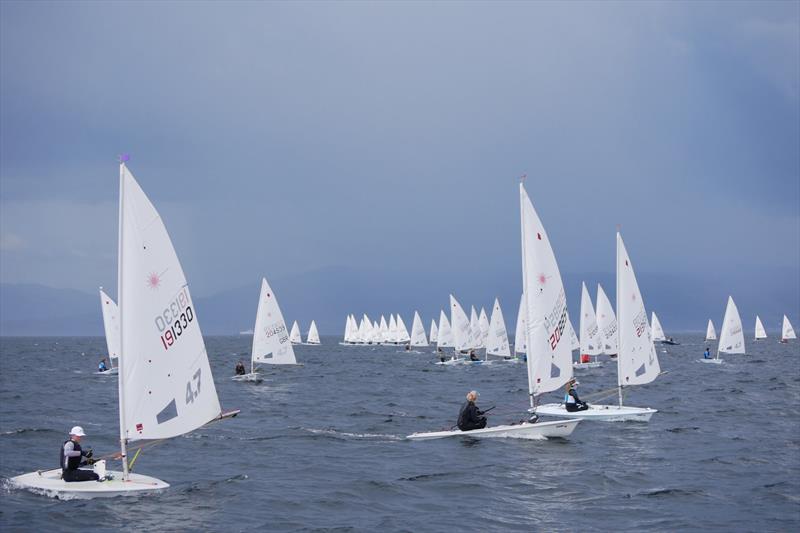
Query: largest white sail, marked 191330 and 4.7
{"type": "Point", "coordinates": [165, 382]}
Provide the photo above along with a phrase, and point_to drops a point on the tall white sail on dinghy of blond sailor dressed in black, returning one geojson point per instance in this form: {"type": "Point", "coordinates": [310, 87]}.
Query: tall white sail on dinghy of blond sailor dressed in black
{"type": "Point", "coordinates": [549, 352]}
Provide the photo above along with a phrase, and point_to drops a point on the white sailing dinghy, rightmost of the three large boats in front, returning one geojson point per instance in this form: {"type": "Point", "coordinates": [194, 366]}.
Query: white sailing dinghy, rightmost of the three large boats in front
{"type": "Point", "coordinates": [637, 362]}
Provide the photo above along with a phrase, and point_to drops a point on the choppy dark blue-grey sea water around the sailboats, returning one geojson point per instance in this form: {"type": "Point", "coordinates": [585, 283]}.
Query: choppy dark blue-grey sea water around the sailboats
{"type": "Point", "coordinates": [321, 446]}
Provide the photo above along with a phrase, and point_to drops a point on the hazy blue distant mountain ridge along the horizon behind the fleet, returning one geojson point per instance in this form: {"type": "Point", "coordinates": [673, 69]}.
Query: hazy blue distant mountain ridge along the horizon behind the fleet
{"type": "Point", "coordinates": [328, 295]}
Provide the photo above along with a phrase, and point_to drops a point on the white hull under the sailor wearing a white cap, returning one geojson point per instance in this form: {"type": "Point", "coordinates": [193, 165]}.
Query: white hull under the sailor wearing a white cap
{"type": "Point", "coordinates": [49, 483]}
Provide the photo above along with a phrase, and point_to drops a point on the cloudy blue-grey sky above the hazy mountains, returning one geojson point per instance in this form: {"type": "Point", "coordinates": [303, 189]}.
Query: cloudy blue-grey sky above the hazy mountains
{"type": "Point", "coordinates": [278, 139]}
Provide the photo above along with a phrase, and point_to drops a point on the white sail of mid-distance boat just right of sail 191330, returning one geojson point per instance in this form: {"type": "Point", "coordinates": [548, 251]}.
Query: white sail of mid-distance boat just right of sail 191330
{"type": "Point", "coordinates": [271, 343]}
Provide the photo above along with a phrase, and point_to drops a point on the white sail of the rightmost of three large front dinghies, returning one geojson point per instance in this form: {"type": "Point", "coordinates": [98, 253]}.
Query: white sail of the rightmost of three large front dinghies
{"type": "Point", "coordinates": [637, 362]}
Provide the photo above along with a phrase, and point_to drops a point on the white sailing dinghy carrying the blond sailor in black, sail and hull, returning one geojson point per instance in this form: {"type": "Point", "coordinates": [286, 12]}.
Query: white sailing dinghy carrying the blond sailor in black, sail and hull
{"type": "Point", "coordinates": [549, 355]}
